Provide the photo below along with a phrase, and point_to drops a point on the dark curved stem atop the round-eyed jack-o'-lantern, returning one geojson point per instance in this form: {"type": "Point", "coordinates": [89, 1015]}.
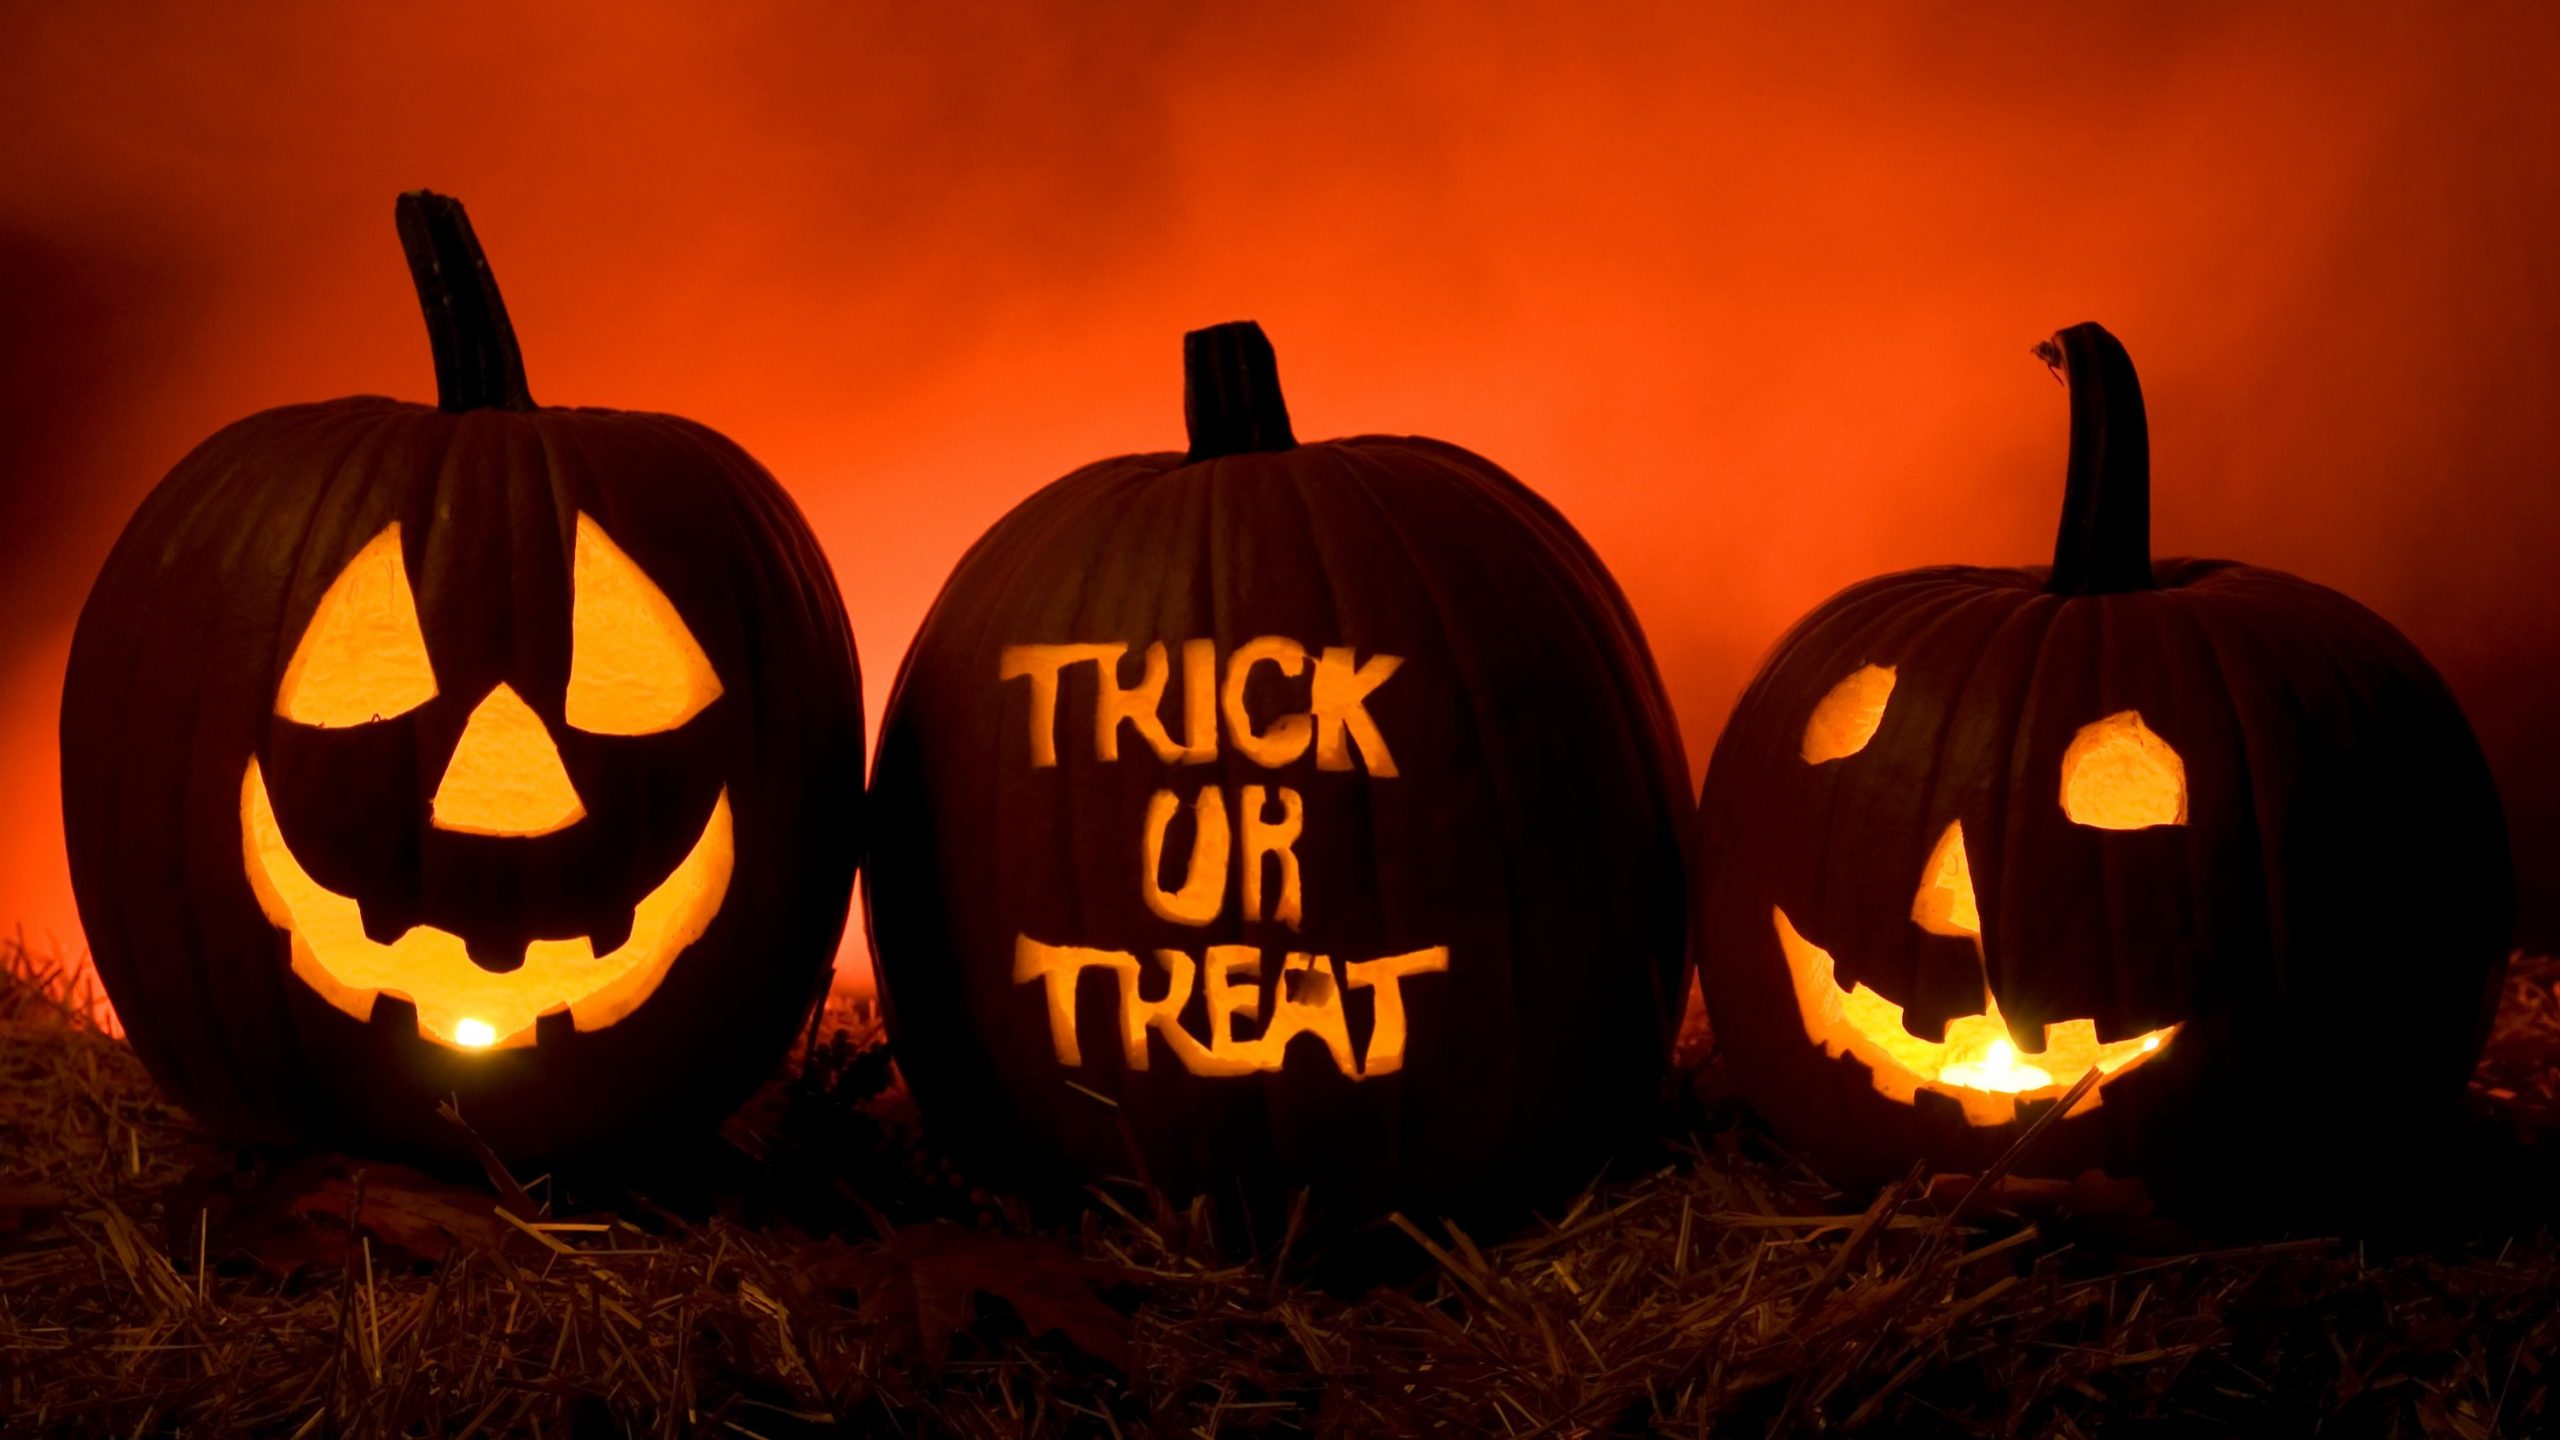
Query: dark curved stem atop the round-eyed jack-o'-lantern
{"type": "Point", "coordinates": [2106, 537]}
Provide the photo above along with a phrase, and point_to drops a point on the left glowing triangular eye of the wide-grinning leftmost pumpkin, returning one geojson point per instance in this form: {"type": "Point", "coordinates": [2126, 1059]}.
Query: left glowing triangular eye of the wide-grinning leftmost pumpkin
{"type": "Point", "coordinates": [362, 657]}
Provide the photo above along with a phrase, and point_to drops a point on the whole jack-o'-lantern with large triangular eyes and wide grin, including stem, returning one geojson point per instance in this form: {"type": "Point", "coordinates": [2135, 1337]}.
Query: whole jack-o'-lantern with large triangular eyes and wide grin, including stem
{"type": "Point", "coordinates": [472, 749]}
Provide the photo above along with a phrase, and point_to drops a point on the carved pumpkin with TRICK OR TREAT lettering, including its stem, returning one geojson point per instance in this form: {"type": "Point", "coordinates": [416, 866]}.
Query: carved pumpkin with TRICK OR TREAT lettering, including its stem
{"type": "Point", "coordinates": [1307, 816]}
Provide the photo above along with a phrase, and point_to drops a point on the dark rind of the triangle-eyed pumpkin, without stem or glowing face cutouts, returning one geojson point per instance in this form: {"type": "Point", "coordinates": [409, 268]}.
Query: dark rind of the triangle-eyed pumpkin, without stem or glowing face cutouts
{"type": "Point", "coordinates": [173, 691]}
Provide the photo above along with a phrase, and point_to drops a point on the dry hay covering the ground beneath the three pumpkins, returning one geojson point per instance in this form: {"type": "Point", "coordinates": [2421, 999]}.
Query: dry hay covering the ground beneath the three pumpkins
{"type": "Point", "coordinates": [818, 1275]}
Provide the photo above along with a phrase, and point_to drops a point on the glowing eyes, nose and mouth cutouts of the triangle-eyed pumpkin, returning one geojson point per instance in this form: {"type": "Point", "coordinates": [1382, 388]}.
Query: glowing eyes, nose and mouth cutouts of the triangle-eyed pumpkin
{"type": "Point", "coordinates": [362, 660]}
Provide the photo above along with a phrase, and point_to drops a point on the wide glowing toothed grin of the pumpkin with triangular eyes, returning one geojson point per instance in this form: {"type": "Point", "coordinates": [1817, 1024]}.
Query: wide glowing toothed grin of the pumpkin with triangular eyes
{"type": "Point", "coordinates": [457, 1001]}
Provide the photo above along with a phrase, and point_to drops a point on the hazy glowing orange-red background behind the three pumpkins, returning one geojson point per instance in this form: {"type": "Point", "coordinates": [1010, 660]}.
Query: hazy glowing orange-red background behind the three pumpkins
{"type": "Point", "coordinates": [1750, 299]}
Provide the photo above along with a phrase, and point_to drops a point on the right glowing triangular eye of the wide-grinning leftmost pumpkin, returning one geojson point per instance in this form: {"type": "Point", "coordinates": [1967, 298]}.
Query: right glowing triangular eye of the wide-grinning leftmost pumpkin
{"type": "Point", "coordinates": [634, 665]}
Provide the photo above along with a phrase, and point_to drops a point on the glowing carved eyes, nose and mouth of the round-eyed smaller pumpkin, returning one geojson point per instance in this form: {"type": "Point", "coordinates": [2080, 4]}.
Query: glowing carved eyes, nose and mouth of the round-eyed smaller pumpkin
{"type": "Point", "coordinates": [2118, 775]}
